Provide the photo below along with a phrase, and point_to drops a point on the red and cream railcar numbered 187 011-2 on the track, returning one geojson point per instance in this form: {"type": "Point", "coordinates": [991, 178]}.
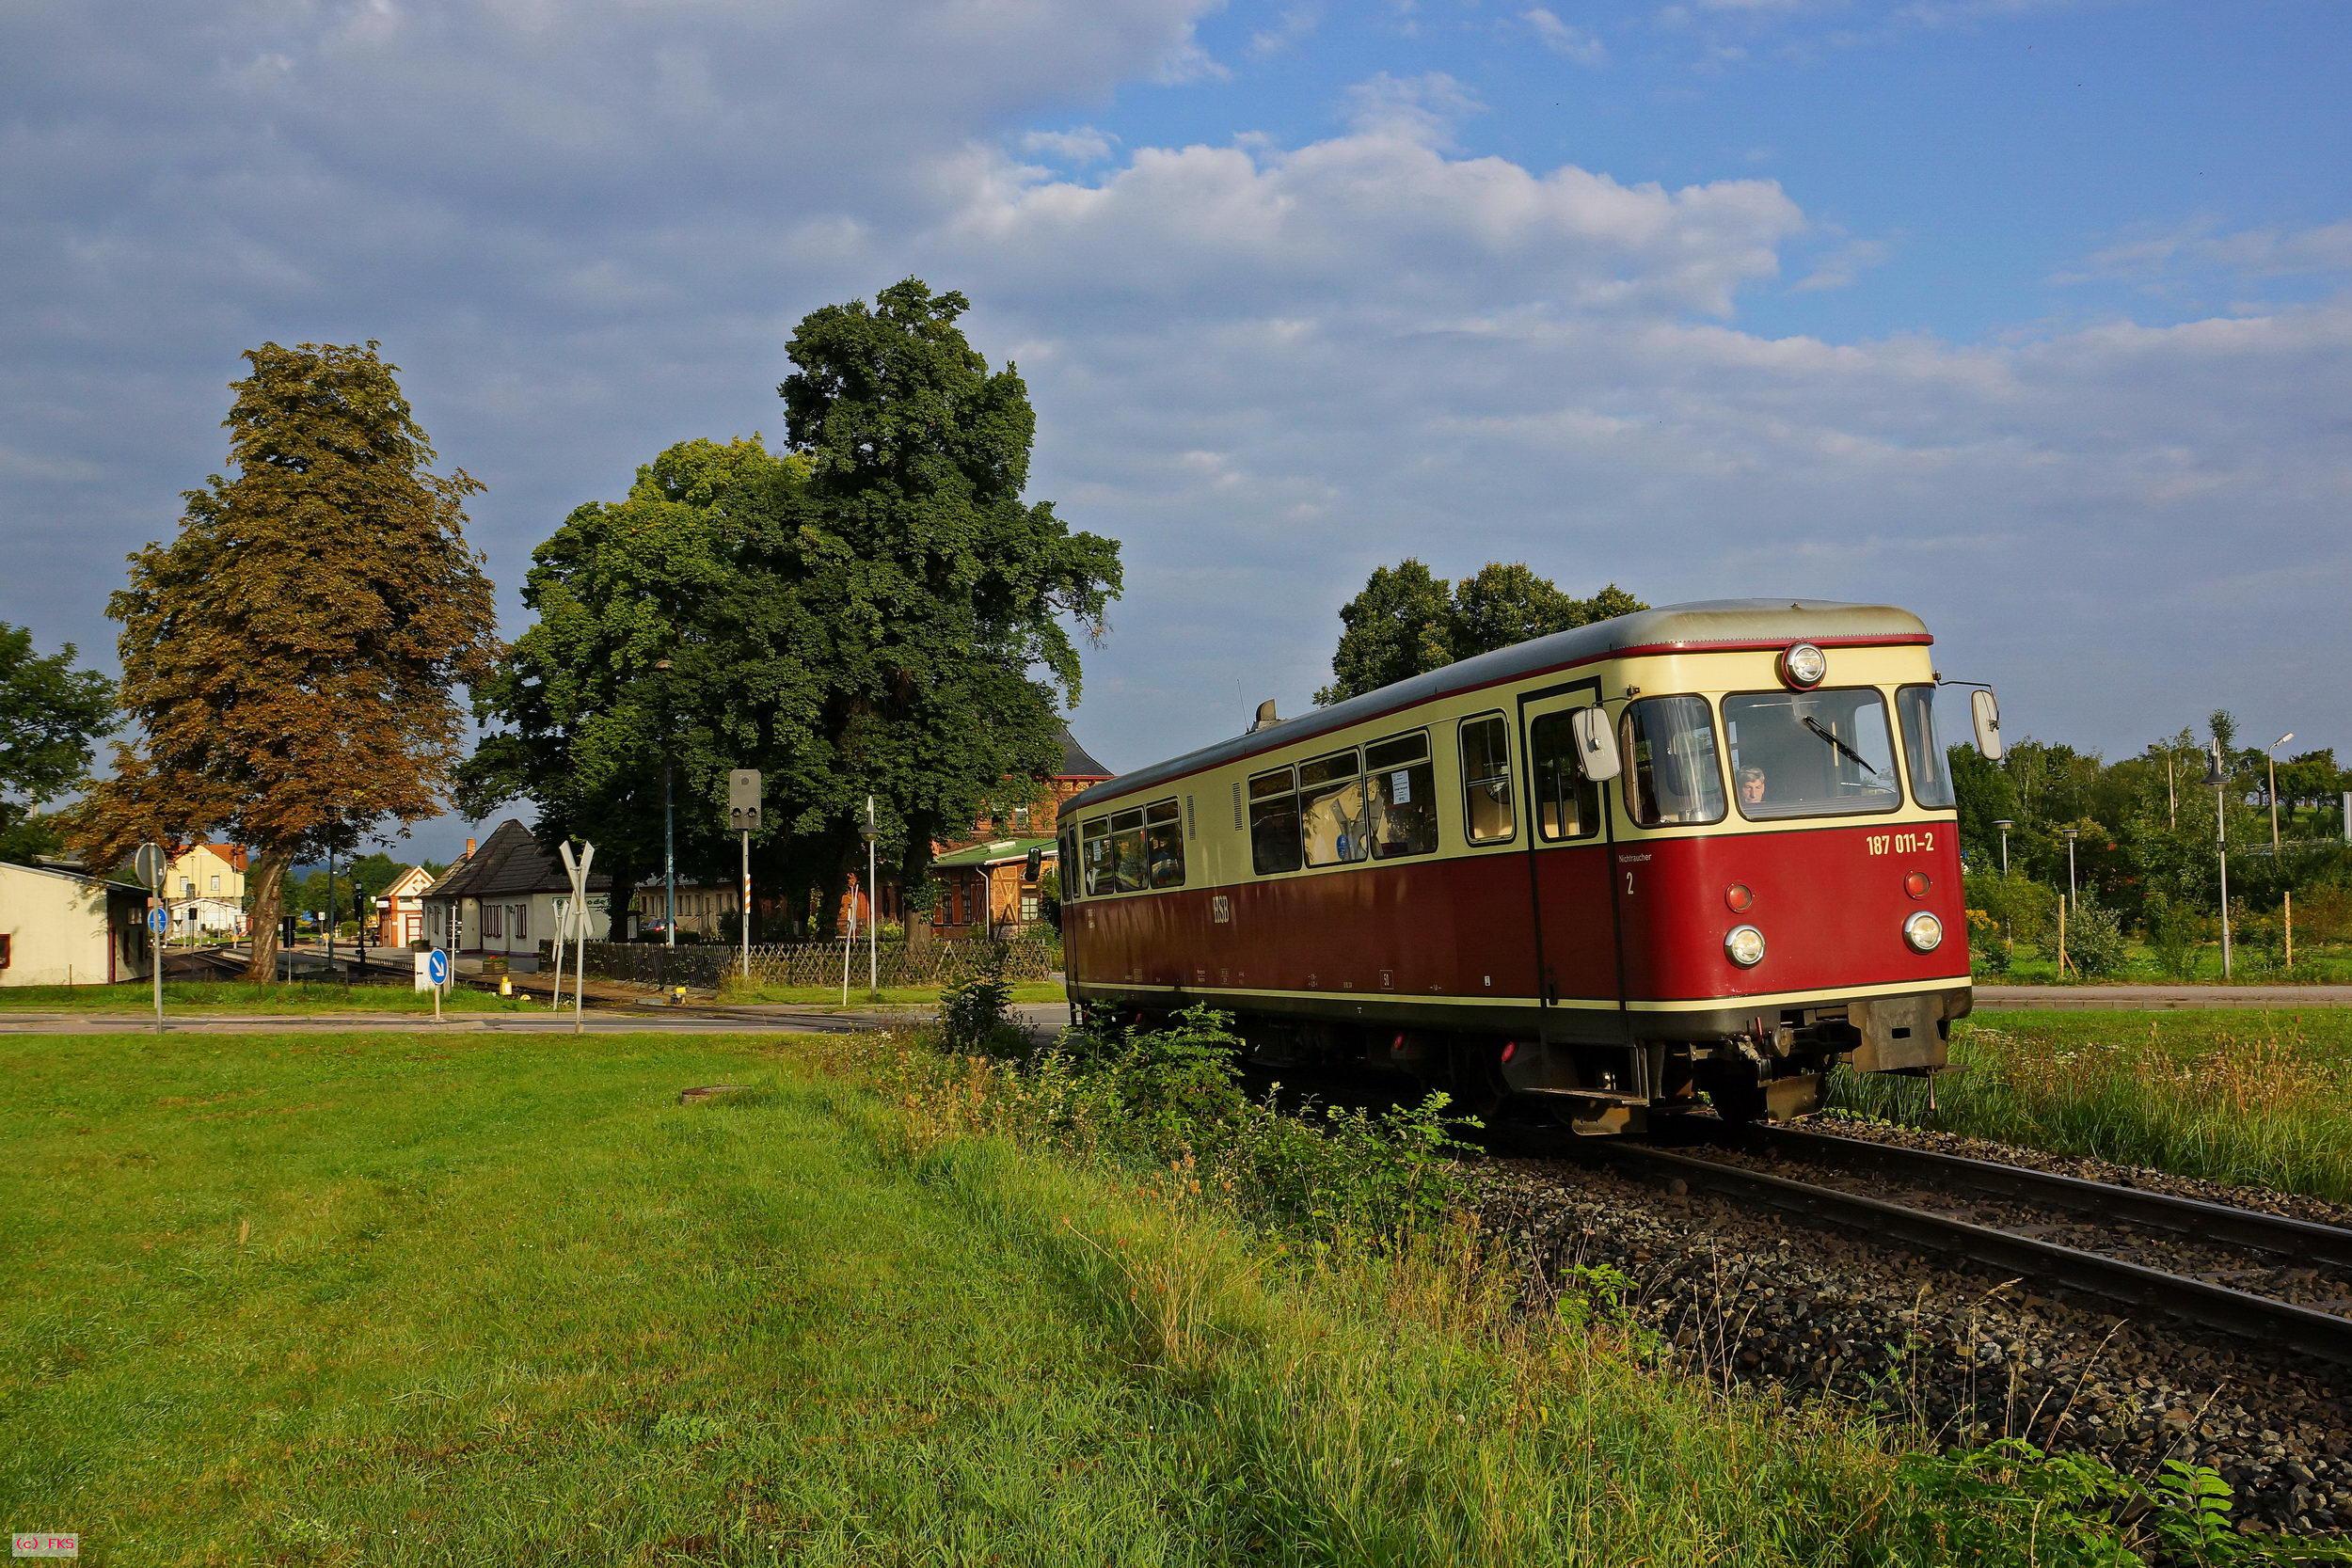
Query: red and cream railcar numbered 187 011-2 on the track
{"type": "Point", "coordinates": [1735, 871]}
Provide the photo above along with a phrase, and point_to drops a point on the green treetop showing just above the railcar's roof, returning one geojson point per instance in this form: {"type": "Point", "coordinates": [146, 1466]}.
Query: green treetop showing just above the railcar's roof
{"type": "Point", "coordinates": [1410, 622]}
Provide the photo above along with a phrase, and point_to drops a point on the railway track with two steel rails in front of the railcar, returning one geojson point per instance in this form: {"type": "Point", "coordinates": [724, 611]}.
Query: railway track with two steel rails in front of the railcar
{"type": "Point", "coordinates": [2276, 1282]}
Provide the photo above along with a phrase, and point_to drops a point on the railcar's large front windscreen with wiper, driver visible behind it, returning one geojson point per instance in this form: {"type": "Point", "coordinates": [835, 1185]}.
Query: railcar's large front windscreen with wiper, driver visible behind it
{"type": "Point", "coordinates": [1812, 753]}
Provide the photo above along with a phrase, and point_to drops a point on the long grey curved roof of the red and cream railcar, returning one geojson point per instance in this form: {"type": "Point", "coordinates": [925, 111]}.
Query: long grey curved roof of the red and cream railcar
{"type": "Point", "coordinates": [1669, 629]}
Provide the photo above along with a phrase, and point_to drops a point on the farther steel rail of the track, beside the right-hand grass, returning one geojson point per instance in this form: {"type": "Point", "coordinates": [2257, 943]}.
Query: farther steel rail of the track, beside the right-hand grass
{"type": "Point", "coordinates": [2207, 1221]}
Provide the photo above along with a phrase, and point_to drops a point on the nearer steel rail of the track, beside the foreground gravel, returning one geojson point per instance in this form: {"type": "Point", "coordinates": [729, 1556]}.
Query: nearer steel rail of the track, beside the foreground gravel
{"type": "Point", "coordinates": [2236, 1313]}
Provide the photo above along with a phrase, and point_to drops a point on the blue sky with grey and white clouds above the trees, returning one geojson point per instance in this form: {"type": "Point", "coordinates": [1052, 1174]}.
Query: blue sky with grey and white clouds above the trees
{"type": "Point", "coordinates": [2031, 316]}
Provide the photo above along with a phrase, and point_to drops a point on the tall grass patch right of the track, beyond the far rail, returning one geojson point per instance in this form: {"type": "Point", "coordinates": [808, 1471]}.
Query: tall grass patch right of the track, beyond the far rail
{"type": "Point", "coordinates": [2238, 1097]}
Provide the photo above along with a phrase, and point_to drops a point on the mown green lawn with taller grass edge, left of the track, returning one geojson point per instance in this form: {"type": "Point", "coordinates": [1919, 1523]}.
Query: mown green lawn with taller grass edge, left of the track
{"type": "Point", "coordinates": [455, 1301]}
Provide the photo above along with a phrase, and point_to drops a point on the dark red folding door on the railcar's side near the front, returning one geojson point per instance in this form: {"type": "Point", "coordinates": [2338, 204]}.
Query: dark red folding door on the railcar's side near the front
{"type": "Point", "coordinates": [1568, 871]}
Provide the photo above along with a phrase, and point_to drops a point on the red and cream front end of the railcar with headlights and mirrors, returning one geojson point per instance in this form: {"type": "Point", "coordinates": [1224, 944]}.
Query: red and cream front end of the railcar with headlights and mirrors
{"type": "Point", "coordinates": [1786, 878]}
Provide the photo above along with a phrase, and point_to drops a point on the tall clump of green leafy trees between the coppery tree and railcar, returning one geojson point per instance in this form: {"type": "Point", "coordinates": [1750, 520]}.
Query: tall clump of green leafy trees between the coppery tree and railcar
{"type": "Point", "coordinates": [876, 612]}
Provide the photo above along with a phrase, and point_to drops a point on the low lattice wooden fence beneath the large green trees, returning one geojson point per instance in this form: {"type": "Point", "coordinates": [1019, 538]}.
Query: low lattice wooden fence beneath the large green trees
{"type": "Point", "coordinates": [1029, 956]}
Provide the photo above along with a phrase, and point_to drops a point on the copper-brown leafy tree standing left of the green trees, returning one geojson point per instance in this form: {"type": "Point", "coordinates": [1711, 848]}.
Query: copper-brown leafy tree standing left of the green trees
{"type": "Point", "coordinates": [293, 659]}
